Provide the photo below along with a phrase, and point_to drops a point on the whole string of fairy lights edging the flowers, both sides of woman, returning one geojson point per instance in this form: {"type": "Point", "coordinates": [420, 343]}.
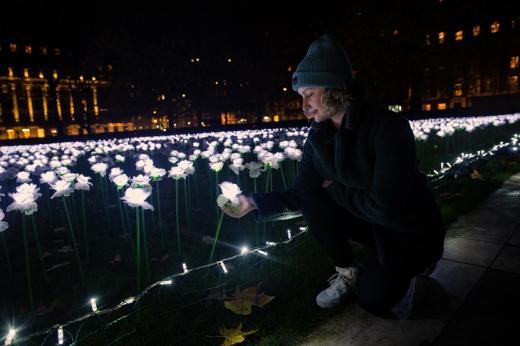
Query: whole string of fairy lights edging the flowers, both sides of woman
{"type": "Point", "coordinates": [436, 175]}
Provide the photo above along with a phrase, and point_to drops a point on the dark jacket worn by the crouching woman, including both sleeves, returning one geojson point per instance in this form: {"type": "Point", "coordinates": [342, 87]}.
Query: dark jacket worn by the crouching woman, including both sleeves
{"type": "Point", "coordinates": [371, 161]}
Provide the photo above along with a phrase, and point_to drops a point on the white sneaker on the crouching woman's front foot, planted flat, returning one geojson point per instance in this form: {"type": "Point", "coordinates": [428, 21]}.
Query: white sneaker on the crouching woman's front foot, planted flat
{"type": "Point", "coordinates": [341, 287]}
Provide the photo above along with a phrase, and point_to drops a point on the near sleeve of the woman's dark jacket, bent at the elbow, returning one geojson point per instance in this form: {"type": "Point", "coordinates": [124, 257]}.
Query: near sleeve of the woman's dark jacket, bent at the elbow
{"type": "Point", "coordinates": [386, 202]}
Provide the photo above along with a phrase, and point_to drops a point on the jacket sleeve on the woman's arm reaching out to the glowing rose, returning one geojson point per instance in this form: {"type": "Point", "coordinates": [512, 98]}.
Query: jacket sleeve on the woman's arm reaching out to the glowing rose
{"type": "Point", "coordinates": [283, 205]}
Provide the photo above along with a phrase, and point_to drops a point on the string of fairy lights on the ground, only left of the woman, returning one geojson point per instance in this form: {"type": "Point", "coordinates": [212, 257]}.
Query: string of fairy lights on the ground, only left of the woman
{"type": "Point", "coordinates": [166, 281]}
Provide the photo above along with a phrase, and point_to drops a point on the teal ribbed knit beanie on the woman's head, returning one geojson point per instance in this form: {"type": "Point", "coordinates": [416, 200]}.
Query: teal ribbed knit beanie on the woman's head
{"type": "Point", "coordinates": [326, 65]}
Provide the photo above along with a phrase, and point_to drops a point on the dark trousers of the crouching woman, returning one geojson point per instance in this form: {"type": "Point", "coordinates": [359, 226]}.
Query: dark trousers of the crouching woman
{"type": "Point", "coordinates": [382, 282]}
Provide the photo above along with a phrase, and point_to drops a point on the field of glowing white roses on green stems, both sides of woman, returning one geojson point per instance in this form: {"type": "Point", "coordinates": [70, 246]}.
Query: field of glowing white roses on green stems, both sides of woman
{"type": "Point", "coordinates": [105, 222]}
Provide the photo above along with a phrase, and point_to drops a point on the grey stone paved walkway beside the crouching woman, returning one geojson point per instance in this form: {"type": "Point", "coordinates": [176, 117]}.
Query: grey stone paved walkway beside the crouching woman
{"type": "Point", "coordinates": [473, 295]}
